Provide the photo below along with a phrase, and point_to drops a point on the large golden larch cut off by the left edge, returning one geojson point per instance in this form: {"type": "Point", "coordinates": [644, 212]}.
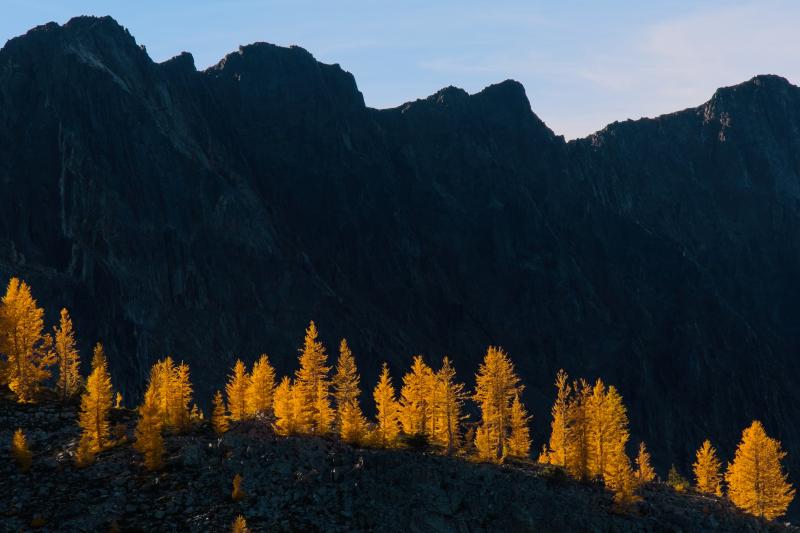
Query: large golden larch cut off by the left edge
{"type": "Point", "coordinates": [27, 350]}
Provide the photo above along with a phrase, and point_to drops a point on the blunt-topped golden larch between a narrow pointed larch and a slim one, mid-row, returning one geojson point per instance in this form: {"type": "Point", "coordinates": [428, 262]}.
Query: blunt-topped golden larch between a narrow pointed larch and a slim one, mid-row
{"type": "Point", "coordinates": [416, 398]}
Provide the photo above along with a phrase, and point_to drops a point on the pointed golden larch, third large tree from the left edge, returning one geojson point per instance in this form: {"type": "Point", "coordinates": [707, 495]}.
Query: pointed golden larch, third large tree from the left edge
{"type": "Point", "coordinates": [96, 403]}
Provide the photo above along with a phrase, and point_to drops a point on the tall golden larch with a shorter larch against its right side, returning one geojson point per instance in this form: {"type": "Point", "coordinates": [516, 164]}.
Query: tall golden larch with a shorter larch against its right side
{"type": "Point", "coordinates": [496, 385]}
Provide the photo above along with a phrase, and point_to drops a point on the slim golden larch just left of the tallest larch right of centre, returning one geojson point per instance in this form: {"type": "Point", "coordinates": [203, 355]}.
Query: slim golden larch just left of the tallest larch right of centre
{"type": "Point", "coordinates": [447, 409]}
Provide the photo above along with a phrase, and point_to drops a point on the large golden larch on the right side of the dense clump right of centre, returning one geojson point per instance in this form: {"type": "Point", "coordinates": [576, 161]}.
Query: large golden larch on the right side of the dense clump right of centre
{"type": "Point", "coordinates": [607, 426]}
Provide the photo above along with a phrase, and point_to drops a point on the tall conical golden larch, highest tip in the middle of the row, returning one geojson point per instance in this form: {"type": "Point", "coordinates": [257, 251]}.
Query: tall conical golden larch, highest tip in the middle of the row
{"type": "Point", "coordinates": [313, 412]}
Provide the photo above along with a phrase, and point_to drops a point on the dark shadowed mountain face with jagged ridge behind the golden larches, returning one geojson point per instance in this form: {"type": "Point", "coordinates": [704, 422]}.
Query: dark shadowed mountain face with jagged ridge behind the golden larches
{"type": "Point", "coordinates": [210, 215]}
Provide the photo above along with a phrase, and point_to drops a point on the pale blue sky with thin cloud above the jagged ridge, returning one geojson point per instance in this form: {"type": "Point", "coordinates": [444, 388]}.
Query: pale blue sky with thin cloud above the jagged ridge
{"type": "Point", "coordinates": [584, 64]}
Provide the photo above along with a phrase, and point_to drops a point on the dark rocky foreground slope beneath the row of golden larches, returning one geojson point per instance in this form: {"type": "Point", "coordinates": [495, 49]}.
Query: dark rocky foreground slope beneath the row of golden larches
{"type": "Point", "coordinates": [307, 484]}
